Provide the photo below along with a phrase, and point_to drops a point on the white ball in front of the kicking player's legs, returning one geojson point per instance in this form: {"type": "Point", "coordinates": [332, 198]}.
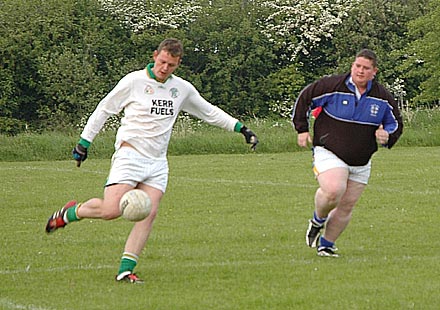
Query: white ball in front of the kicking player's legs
{"type": "Point", "coordinates": [135, 205]}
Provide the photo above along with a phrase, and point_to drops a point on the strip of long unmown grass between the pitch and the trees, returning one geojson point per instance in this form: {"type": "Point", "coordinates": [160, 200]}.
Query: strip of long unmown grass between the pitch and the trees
{"type": "Point", "coordinates": [191, 137]}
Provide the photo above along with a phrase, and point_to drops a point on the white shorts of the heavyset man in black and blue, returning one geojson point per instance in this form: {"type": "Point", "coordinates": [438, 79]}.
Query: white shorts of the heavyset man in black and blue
{"type": "Point", "coordinates": [324, 160]}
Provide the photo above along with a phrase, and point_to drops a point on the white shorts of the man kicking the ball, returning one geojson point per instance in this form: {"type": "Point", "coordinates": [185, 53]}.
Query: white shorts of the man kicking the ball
{"type": "Point", "coordinates": [130, 167]}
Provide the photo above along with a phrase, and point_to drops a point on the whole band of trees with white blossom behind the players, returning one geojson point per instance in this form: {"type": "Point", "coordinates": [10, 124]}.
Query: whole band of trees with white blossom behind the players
{"type": "Point", "coordinates": [251, 58]}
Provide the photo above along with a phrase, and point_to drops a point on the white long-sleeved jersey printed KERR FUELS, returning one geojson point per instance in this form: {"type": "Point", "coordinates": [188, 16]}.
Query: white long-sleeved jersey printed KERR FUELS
{"type": "Point", "coordinates": [150, 111]}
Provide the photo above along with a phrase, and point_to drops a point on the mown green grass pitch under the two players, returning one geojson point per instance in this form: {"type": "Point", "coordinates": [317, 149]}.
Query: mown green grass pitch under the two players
{"type": "Point", "coordinates": [229, 235]}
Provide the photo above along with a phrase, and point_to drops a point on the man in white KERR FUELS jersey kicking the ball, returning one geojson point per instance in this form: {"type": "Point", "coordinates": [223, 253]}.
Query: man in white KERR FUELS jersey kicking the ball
{"type": "Point", "coordinates": [151, 100]}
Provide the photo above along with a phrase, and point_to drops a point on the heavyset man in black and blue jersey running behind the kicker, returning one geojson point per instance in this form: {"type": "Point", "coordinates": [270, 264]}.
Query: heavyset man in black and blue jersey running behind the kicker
{"type": "Point", "coordinates": [353, 114]}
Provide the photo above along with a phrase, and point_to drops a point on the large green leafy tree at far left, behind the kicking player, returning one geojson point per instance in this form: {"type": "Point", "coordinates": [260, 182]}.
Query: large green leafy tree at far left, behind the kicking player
{"type": "Point", "coordinates": [57, 59]}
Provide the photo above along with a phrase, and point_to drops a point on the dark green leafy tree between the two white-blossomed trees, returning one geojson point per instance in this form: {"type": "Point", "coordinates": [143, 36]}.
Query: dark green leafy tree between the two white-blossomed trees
{"type": "Point", "coordinates": [229, 58]}
